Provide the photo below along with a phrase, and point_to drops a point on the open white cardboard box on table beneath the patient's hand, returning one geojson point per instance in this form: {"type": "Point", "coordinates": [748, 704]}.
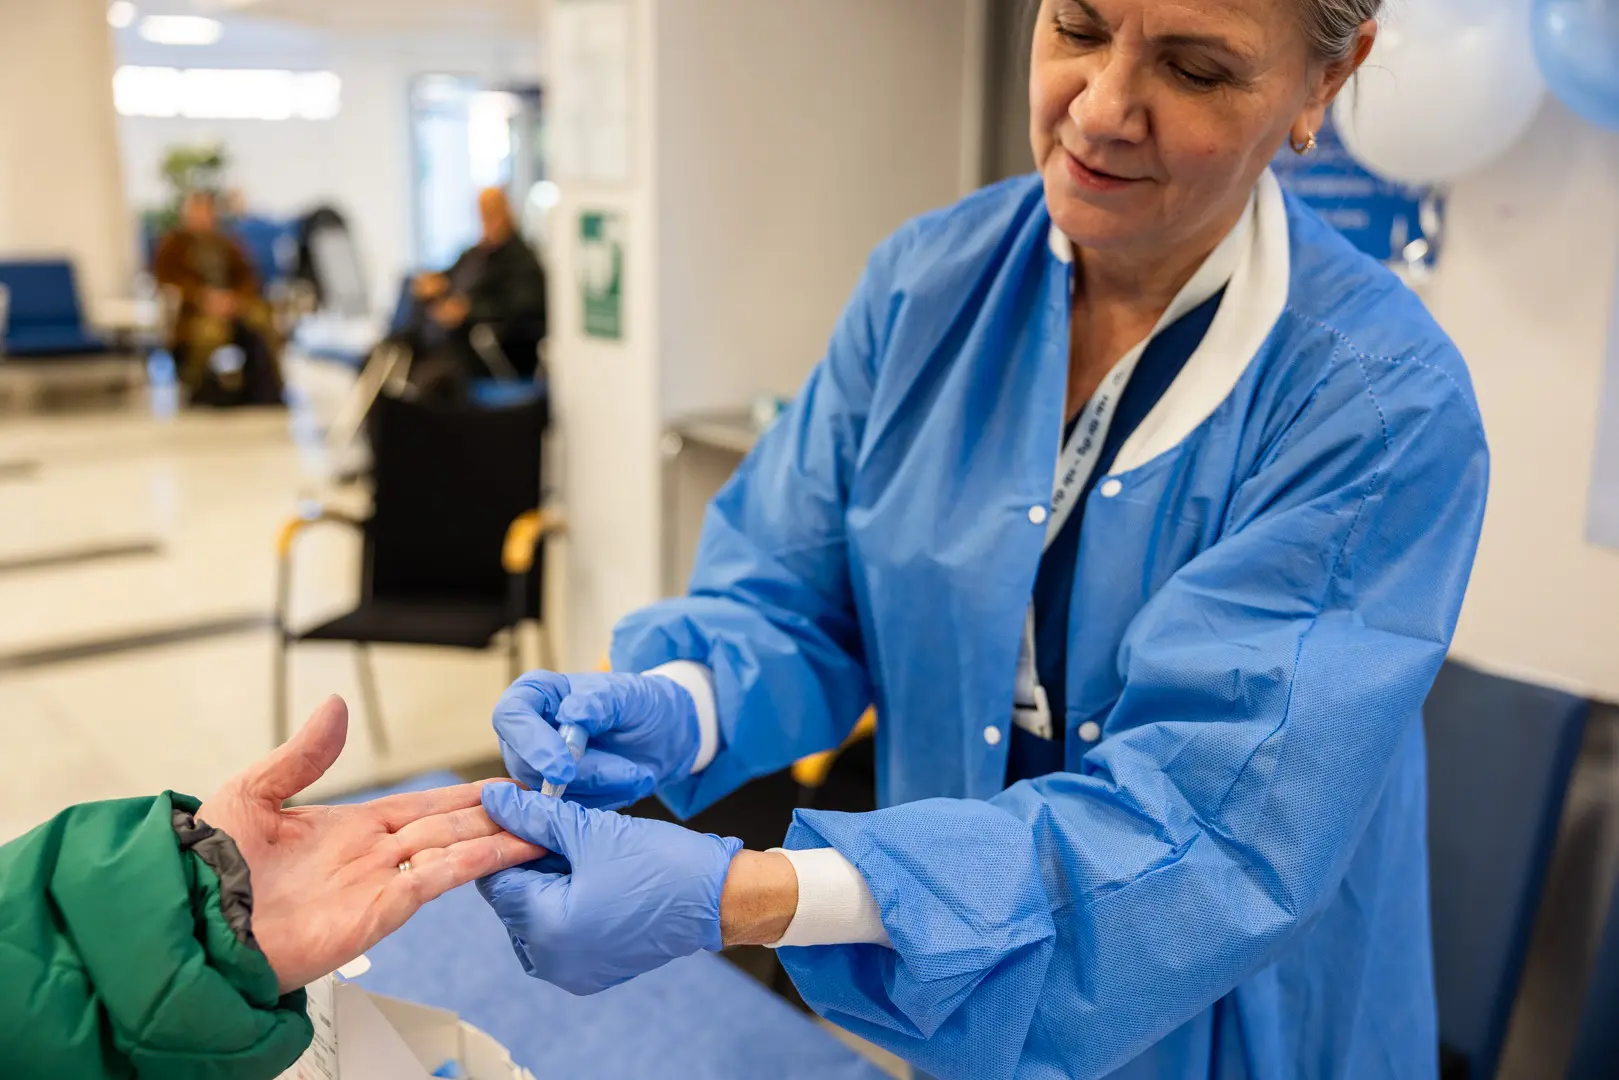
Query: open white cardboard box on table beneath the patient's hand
{"type": "Point", "coordinates": [368, 1037]}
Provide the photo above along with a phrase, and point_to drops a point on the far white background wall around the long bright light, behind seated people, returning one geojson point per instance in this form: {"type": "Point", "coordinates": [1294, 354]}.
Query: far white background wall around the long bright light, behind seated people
{"type": "Point", "coordinates": [359, 161]}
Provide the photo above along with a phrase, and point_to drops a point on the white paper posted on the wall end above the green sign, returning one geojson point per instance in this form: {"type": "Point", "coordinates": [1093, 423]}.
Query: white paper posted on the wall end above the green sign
{"type": "Point", "coordinates": [592, 91]}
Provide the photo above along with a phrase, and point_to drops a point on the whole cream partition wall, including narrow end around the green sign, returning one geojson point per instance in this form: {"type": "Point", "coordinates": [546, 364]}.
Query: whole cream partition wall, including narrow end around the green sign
{"type": "Point", "coordinates": [776, 145]}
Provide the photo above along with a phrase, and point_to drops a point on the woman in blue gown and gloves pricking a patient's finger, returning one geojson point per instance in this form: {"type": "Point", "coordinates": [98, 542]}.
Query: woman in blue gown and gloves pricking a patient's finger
{"type": "Point", "coordinates": [1149, 734]}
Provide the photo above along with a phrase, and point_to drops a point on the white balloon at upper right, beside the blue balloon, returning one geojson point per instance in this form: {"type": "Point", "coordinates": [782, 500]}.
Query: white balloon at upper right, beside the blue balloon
{"type": "Point", "coordinates": [1448, 88]}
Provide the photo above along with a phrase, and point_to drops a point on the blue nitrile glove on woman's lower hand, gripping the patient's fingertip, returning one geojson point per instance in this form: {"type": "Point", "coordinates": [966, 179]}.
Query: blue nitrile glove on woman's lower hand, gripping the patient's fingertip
{"type": "Point", "coordinates": [618, 898]}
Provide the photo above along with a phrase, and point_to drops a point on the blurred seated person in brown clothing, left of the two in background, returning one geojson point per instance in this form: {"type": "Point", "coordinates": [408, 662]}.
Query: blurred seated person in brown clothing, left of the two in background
{"type": "Point", "coordinates": [224, 339]}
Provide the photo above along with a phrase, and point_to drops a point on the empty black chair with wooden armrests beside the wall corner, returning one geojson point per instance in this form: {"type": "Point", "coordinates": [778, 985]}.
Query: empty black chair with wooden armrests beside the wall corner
{"type": "Point", "coordinates": [454, 548]}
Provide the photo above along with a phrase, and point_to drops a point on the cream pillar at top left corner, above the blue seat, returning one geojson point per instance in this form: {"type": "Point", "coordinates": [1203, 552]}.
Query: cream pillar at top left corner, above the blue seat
{"type": "Point", "coordinates": [61, 181]}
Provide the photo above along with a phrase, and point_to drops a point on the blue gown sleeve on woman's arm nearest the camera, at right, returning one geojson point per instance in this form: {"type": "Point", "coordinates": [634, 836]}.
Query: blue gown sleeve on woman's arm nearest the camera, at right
{"type": "Point", "coordinates": [1270, 691]}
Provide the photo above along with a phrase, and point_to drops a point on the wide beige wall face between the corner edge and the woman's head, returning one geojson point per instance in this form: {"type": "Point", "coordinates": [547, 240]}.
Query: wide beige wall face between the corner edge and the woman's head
{"type": "Point", "coordinates": [781, 168]}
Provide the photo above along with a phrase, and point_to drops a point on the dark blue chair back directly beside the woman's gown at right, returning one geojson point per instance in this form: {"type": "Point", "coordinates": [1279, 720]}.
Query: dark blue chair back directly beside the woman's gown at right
{"type": "Point", "coordinates": [1500, 757]}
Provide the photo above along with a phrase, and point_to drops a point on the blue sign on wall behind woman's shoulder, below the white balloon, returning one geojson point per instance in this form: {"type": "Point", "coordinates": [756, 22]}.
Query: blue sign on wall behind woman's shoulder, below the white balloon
{"type": "Point", "coordinates": [1388, 221]}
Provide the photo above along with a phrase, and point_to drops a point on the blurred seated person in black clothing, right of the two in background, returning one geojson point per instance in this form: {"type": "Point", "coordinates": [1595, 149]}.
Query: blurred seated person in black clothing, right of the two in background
{"type": "Point", "coordinates": [496, 284]}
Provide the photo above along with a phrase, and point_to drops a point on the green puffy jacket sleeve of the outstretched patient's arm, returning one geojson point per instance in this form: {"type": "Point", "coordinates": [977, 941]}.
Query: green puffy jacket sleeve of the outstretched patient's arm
{"type": "Point", "coordinates": [127, 951]}
